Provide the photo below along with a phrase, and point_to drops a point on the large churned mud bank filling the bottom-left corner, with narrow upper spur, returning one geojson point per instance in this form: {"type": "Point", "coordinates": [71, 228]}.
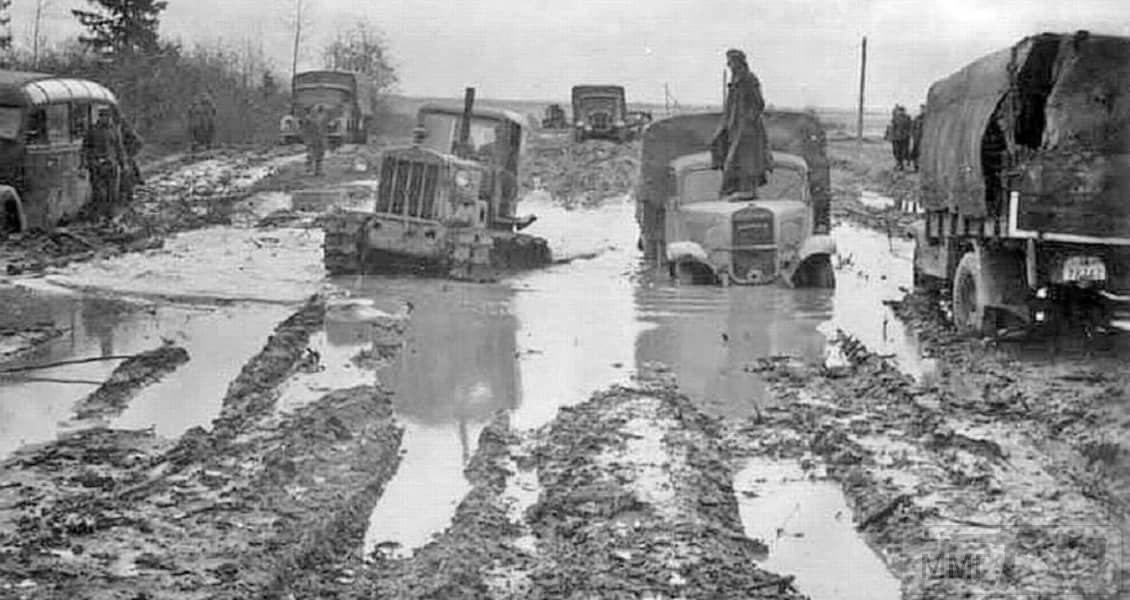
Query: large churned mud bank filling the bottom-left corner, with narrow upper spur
{"type": "Point", "coordinates": [241, 511]}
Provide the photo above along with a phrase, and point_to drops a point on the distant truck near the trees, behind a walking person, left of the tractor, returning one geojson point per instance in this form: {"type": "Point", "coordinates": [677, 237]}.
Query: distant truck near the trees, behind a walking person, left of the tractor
{"type": "Point", "coordinates": [349, 101]}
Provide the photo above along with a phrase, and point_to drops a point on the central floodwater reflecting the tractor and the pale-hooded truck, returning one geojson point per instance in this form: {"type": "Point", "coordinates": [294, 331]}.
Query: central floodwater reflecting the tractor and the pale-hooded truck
{"type": "Point", "coordinates": [552, 338]}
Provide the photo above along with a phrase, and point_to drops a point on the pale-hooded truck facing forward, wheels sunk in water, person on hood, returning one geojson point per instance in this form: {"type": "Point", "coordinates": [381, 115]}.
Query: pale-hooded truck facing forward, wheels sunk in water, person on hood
{"type": "Point", "coordinates": [783, 236]}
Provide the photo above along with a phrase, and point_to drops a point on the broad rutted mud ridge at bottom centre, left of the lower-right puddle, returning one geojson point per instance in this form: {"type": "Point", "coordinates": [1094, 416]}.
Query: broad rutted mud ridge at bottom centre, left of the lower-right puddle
{"type": "Point", "coordinates": [611, 532]}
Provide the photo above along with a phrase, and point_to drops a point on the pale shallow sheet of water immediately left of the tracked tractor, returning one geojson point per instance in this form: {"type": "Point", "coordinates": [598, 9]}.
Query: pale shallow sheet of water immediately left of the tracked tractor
{"type": "Point", "coordinates": [282, 266]}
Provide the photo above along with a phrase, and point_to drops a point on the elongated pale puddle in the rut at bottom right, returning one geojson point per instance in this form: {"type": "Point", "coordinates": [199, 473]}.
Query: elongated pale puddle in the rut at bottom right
{"type": "Point", "coordinates": [809, 529]}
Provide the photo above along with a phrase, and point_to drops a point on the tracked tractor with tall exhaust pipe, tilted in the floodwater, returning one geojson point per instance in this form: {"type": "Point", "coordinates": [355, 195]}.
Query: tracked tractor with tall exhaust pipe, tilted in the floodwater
{"type": "Point", "coordinates": [445, 205]}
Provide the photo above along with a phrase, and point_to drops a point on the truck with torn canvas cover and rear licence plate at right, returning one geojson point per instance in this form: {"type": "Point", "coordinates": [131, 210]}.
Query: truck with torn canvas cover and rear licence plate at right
{"type": "Point", "coordinates": [1027, 186]}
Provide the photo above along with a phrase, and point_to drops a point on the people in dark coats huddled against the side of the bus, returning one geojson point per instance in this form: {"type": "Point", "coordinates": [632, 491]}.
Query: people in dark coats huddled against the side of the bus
{"type": "Point", "coordinates": [110, 151]}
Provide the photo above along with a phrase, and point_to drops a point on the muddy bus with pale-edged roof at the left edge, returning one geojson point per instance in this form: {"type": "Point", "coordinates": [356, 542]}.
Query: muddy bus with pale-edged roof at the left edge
{"type": "Point", "coordinates": [44, 121]}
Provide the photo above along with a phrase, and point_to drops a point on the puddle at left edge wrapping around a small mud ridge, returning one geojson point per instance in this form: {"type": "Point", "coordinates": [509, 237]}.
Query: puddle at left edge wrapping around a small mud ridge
{"type": "Point", "coordinates": [219, 341]}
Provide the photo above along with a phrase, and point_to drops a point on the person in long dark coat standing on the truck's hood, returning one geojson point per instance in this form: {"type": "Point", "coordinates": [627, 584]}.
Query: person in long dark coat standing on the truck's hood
{"type": "Point", "coordinates": [741, 147]}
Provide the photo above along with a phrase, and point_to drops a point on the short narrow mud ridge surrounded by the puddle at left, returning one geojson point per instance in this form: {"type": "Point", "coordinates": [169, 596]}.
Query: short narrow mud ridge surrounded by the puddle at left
{"type": "Point", "coordinates": [129, 379]}
